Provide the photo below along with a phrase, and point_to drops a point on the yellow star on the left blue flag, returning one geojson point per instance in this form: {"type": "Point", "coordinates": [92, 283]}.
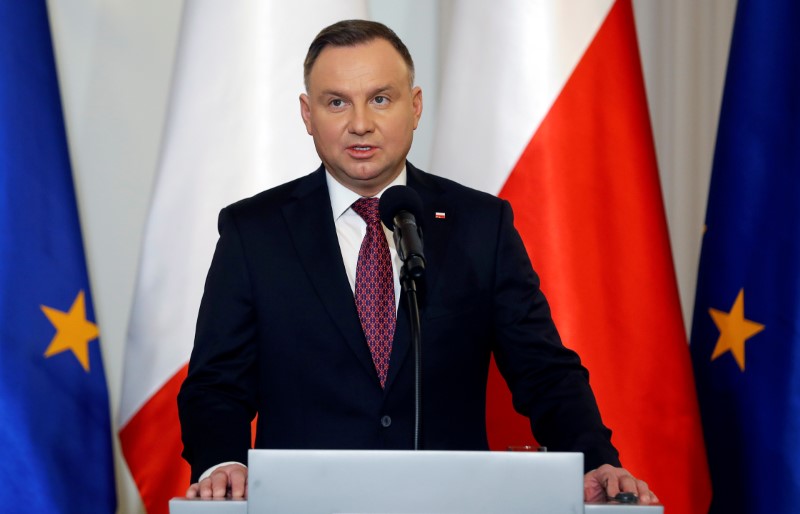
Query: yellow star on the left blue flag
{"type": "Point", "coordinates": [73, 331]}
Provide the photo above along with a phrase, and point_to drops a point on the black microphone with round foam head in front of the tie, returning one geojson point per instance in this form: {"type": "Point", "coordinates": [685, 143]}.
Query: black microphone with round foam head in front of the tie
{"type": "Point", "coordinates": [400, 207]}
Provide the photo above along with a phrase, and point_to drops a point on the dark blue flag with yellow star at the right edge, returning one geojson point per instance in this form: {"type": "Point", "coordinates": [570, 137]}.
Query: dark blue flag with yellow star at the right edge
{"type": "Point", "coordinates": [745, 340]}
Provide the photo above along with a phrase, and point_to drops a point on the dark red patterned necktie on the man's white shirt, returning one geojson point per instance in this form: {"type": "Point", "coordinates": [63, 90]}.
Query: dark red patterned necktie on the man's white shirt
{"type": "Point", "coordinates": [375, 288]}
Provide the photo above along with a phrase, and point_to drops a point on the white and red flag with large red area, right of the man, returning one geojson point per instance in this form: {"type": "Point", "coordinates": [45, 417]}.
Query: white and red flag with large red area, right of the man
{"type": "Point", "coordinates": [545, 106]}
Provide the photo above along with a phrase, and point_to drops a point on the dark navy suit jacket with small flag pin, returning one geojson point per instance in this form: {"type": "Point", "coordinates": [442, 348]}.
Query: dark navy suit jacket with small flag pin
{"type": "Point", "coordinates": [278, 334]}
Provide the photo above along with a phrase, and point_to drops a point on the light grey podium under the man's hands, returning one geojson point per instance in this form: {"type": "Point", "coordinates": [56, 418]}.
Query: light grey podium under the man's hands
{"type": "Point", "coordinates": [407, 482]}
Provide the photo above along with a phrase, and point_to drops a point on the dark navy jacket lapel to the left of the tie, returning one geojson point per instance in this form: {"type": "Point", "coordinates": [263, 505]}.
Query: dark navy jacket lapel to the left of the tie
{"type": "Point", "coordinates": [310, 221]}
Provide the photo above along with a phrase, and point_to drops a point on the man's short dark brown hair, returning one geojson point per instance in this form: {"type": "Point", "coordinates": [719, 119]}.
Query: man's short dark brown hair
{"type": "Point", "coordinates": [354, 33]}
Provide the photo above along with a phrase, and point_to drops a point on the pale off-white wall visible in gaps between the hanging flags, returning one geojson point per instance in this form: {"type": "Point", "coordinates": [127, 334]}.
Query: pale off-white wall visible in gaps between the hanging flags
{"type": "Point", "coordinates": [115, 59]}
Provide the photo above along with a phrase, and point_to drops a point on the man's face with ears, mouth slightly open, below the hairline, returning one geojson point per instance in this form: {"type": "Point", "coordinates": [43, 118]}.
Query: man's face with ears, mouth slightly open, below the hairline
{"type": "Point", "coordinates": [362, 112]}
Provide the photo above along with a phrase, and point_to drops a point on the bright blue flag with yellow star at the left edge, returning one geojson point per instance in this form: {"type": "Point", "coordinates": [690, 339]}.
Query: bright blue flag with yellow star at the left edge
{"type": "Point", "coordinates": [55, 430]}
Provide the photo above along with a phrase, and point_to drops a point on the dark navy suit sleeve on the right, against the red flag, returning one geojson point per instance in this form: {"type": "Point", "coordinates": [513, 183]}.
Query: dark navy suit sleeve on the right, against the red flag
{"type": "Point", "coordinates": [547, 381]}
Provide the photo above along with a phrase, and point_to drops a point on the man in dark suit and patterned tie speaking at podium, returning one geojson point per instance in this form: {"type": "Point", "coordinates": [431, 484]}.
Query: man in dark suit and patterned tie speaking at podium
{"type": "Point", "coordinates": [286, 331]}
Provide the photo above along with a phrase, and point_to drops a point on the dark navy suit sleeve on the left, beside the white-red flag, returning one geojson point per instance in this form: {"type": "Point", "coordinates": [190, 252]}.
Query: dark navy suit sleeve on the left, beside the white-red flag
{"type": "Point", "coordinates": [216, 403]}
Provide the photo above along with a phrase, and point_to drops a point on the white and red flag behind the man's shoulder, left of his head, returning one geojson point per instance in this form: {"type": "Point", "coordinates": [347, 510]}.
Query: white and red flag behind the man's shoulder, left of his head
{"type": "Point", "coordinates": [233, 129]}
